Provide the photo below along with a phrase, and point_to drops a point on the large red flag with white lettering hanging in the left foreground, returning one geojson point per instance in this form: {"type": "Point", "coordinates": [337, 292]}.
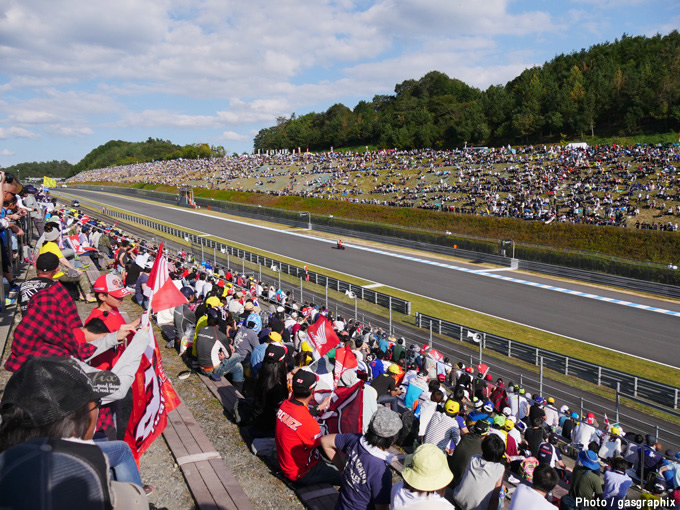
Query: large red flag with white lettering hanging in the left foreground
{"type": "Point", "coordinates": [153, 397]}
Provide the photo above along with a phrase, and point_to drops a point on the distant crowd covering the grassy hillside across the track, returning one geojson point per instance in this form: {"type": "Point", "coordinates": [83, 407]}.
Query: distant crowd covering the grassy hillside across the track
{"type": "Point", "coordinates": [604, 185]}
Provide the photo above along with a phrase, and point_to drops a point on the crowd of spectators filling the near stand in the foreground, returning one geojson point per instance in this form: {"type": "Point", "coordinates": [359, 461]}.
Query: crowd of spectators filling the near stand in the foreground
{"type": "Point", "coordinates": [469, 435]}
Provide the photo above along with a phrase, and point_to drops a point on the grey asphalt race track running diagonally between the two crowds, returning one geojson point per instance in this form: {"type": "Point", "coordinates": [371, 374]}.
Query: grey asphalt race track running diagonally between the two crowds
{"type": "Point", "coordinates": [646, 334]}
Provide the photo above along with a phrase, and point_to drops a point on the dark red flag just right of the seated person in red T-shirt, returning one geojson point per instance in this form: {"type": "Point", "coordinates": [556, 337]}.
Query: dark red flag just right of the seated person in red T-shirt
{"type": "Point", "coordinates": [344, 415]}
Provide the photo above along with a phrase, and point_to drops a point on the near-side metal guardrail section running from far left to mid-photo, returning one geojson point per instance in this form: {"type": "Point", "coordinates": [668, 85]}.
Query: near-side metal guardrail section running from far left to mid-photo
{"type": "Point", "coordinates": [377, 298]}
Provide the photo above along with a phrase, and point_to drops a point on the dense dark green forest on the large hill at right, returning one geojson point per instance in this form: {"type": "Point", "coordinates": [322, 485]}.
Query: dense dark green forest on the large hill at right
{"type": "Point", "coordinates": [625, 88]}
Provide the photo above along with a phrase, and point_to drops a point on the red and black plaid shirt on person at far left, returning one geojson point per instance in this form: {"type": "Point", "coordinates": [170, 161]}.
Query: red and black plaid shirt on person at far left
{"type": "Point", "coordinates": [46, 329]}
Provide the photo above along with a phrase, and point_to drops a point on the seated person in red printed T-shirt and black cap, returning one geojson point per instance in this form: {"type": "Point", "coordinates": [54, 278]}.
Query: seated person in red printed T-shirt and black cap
{"type": "Point", "coordinates": [298, 435]}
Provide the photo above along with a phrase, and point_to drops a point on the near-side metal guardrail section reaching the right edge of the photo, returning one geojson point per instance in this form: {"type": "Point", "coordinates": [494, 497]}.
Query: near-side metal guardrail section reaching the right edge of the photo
{"type": "Point", "coordinates": [627, 384]}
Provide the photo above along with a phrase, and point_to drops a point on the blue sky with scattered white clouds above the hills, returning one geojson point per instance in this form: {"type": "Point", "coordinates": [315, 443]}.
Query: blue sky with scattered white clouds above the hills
{"type": "Point", "coordinates": [74, 74]}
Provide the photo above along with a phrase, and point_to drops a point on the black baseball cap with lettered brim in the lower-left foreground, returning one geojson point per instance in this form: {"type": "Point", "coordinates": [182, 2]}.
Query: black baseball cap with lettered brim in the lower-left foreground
{"type": "Point", "coordinates": [48, 389]}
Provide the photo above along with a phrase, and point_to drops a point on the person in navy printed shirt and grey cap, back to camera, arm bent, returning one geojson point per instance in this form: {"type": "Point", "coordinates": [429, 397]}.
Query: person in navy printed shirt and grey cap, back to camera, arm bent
{"type": "Point", "coordinates": [366, 479]}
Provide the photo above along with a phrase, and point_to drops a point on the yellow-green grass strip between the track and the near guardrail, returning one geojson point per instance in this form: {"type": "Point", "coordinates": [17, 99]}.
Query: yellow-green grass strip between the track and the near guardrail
{"type": "Point", "coordinates": [473, 320]}
